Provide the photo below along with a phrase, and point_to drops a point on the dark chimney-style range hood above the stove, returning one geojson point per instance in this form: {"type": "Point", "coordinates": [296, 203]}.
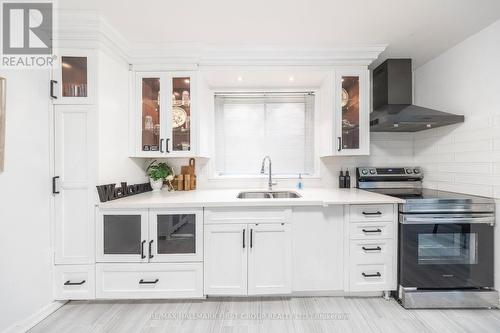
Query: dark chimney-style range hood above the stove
{"type": "Point", "coordinates": [393, 110]}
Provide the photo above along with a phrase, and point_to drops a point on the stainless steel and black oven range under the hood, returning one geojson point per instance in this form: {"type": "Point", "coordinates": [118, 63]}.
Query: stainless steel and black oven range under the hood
{"type": "Point", "coordinates": [445, 251]}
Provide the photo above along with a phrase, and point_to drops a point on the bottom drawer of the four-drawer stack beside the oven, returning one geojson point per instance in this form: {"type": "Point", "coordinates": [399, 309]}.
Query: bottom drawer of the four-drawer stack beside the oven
{"type": "Point", "coordinates": [371, 277]}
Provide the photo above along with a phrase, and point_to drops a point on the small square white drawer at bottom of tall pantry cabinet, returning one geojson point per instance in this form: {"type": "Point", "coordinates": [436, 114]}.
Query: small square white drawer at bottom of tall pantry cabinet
{"type": "Point", "coordinates": [74, 282]}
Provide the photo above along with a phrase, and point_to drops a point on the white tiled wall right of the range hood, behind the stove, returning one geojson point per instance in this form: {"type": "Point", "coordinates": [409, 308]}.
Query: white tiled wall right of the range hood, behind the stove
{"type": "Point", "coordinates": [464, 158]}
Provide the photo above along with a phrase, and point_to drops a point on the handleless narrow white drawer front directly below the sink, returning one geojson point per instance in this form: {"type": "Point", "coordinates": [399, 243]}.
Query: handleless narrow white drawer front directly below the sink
{"type": "Point", "coordinates": [247, 215]}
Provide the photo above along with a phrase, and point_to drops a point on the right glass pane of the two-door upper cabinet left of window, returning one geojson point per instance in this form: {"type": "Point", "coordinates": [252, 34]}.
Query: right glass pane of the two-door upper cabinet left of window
{"type": "Point", "coordinates": [181, 114]}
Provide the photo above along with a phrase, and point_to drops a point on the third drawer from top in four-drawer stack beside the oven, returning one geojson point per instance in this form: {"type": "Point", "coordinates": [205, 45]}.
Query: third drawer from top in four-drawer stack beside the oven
{"type": "Point", "coordinates": [371, 251]}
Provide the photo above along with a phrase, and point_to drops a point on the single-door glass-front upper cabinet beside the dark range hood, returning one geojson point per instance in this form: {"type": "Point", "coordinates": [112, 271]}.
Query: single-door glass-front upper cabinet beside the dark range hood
{"type": "Point", "coordinates": [352, 114]}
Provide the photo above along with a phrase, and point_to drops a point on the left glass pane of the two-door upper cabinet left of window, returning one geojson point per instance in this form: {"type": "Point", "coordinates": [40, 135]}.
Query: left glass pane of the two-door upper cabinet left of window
{"type": "Point", "coordinates": [150, 114]}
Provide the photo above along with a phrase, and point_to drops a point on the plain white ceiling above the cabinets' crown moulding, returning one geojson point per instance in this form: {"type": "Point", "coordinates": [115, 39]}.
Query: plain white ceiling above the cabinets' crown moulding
{"type": "Point", "coordinates": [418, 29]}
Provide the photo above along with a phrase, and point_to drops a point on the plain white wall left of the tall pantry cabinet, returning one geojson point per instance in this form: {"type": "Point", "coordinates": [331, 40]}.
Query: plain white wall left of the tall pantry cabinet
{"type": "Point", "coordinates": [25, 279]}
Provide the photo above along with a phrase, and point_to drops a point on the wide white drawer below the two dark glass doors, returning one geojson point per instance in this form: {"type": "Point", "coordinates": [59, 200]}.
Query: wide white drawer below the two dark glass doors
{"type": "Point", "coordinates": [151, 280]}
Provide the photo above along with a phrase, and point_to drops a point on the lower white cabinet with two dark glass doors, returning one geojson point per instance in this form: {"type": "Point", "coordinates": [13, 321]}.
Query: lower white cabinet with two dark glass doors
{"type": "Point", "coordinates": [155, 235]}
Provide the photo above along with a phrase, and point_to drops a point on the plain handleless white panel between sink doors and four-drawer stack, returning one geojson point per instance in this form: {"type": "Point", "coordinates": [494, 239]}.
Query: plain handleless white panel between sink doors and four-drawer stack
{"type": "Point", "coordinates": [318, 249]}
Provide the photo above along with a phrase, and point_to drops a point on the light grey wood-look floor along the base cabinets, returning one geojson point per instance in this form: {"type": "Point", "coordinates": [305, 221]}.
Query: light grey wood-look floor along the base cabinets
{"type": "Point", "coordinates": [273, 315]}
